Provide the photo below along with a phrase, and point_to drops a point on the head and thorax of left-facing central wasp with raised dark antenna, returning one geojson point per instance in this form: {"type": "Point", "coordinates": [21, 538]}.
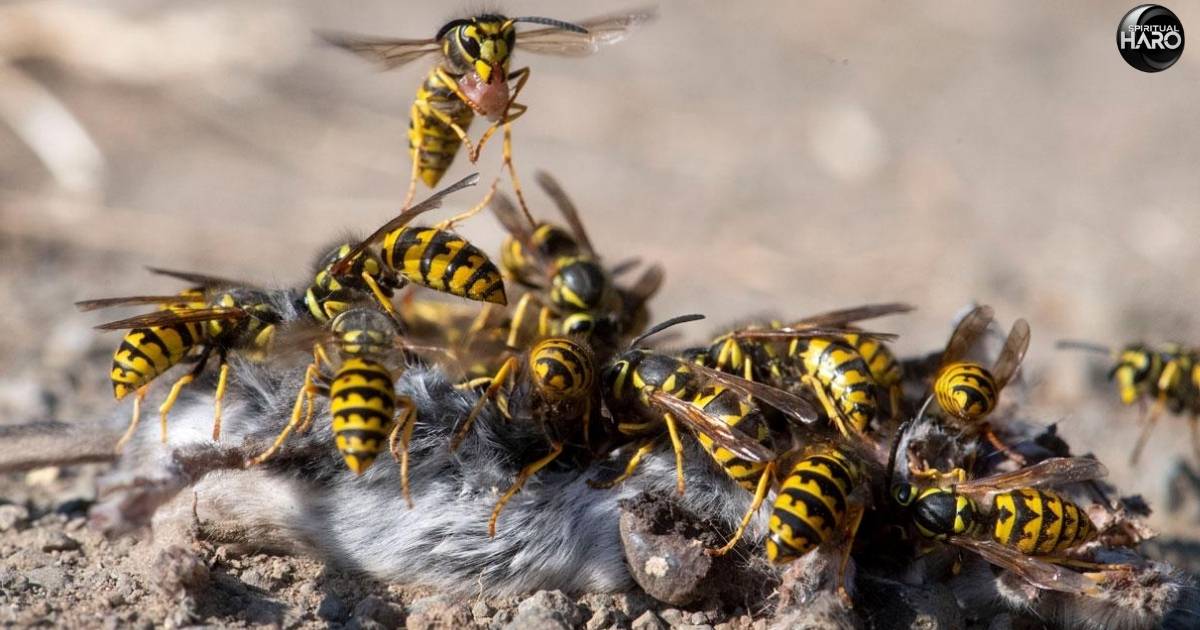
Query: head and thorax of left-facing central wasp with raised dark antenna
{"type": "Point", "coordinates": [633, 376]}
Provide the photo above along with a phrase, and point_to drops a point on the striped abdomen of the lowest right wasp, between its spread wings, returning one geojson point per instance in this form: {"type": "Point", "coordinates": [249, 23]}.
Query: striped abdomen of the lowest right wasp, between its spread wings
{"type": "Point", "coordinates": [1039, 523]}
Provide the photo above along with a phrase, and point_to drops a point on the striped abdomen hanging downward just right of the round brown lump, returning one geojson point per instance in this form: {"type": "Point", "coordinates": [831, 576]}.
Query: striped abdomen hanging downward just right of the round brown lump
{"type": "Point", "coordinates": [811, 505]}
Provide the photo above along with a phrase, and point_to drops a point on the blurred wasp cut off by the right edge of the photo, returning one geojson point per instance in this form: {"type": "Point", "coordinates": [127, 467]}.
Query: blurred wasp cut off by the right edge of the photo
{"type": "Point", "coordinates": [1168, 374]}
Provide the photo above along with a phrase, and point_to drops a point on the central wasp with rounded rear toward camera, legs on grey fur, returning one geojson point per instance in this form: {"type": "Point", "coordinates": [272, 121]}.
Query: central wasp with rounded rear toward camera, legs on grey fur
{"type": "Point", "coordinates": [554, 386]}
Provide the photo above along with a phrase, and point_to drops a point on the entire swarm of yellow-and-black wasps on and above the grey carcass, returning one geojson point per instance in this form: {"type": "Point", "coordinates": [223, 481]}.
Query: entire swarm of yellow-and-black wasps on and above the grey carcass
{"type": "Point", "coordinates": [812, 411]}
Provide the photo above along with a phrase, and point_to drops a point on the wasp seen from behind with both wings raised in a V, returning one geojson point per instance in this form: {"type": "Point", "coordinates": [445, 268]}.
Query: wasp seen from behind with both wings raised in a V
{"type": "Point", "coordinates": [969, 392]}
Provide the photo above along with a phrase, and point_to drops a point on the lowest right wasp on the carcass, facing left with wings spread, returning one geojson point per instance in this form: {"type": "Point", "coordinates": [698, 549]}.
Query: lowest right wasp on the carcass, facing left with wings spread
{"type": "Point", "coordinates": [1009, 519]}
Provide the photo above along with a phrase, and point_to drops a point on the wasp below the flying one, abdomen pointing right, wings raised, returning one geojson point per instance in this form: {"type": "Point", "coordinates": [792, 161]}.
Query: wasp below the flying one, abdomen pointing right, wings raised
{"type": "Point", "coordinates": [434, 257]}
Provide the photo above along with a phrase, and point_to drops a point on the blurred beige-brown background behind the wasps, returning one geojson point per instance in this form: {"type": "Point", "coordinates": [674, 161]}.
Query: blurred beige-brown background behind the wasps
{"type": "Point", "coordinates": [776, 159]}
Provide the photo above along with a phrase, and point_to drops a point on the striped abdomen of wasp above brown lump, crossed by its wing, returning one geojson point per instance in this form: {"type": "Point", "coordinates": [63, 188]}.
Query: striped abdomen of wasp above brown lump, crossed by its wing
{"type": "Point", "coordinates": [739, 412]}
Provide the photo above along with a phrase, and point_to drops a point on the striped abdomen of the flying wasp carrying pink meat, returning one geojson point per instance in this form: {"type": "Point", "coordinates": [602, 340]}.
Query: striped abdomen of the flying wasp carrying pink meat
{"type": "Point", "coordinates": [439, 145]}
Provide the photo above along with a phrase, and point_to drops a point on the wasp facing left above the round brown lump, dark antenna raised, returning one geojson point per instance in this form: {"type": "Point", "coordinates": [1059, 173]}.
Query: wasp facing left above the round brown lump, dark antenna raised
{"type": "Point", "coordinates": [649, 391]}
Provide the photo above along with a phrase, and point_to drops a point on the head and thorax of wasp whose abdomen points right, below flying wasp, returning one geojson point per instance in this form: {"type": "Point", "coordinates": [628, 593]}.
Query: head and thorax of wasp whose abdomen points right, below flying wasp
{"type": "Point", "coordinates": [331, 295]}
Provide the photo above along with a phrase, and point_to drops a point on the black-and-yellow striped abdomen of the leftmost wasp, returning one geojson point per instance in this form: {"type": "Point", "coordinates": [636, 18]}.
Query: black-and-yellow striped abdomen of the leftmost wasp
{"type": "Point", "coordinates": [146, 353]}
